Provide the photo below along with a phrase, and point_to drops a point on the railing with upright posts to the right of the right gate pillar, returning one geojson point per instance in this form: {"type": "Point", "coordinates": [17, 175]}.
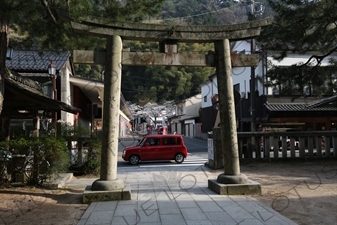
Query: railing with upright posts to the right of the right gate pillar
{"type": "Point", "coordinates": [303, 144]}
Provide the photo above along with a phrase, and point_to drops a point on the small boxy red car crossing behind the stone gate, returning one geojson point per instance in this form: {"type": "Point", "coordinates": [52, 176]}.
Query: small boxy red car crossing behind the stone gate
{"type": "Point", "coordinates": [157, 147]}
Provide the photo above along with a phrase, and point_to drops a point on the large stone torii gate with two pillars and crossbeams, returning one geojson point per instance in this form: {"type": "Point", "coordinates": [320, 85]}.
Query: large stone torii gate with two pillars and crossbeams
{"type": "Point", "coordinates": [168, 37]}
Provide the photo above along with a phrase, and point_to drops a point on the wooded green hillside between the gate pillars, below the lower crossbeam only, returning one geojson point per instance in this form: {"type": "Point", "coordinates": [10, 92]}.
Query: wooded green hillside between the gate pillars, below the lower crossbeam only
{"type": "Point", "coordinates": [160, 83]}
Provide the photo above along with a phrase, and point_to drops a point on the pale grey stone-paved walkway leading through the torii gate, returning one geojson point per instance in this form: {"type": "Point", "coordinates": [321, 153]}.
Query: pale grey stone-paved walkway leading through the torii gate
{"type": "Point", "coordinates": [175, 196]}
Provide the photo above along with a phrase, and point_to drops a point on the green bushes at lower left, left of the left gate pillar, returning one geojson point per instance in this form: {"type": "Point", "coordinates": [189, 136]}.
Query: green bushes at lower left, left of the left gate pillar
{"type": "Point", "coordinates": [54, 150]}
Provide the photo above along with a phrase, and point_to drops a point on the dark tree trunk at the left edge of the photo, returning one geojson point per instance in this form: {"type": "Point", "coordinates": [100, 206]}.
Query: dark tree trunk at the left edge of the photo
{"type": "Point", "coordinates": [3, 50]}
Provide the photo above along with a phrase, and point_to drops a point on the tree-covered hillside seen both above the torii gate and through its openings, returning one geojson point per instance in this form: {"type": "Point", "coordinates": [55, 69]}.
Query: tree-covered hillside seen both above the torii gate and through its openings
{"type": "Point", "coordinates": [157, 84]}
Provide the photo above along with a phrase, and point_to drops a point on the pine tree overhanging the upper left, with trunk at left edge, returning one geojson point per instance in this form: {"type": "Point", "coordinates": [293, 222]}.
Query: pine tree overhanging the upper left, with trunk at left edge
{"type": "Point", "coordinates": [38, 25]}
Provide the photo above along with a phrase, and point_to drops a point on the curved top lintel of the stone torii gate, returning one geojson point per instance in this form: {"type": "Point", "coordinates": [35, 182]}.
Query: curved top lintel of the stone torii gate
{"type": "Point", "coordinates": [157, 32]}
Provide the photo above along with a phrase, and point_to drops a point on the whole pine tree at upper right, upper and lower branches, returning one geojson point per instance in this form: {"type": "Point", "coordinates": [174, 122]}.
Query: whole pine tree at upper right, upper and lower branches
{"type": "Point", "coordinates": [303, 26]}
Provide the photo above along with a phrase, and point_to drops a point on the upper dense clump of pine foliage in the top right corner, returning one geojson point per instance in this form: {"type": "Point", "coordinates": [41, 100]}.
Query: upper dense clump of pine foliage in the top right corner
{"type": "Point", "coordinates": [302, 26]}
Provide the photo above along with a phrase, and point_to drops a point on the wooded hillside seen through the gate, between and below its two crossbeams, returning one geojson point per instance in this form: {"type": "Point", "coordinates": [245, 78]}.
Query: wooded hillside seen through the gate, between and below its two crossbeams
{"type": "Point", "coordinates": [160, 83]}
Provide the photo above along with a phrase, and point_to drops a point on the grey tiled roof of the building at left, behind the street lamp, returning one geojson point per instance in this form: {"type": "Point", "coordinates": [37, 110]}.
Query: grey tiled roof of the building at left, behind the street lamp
{"type": "Point", "coordinates": [30, 61]}
